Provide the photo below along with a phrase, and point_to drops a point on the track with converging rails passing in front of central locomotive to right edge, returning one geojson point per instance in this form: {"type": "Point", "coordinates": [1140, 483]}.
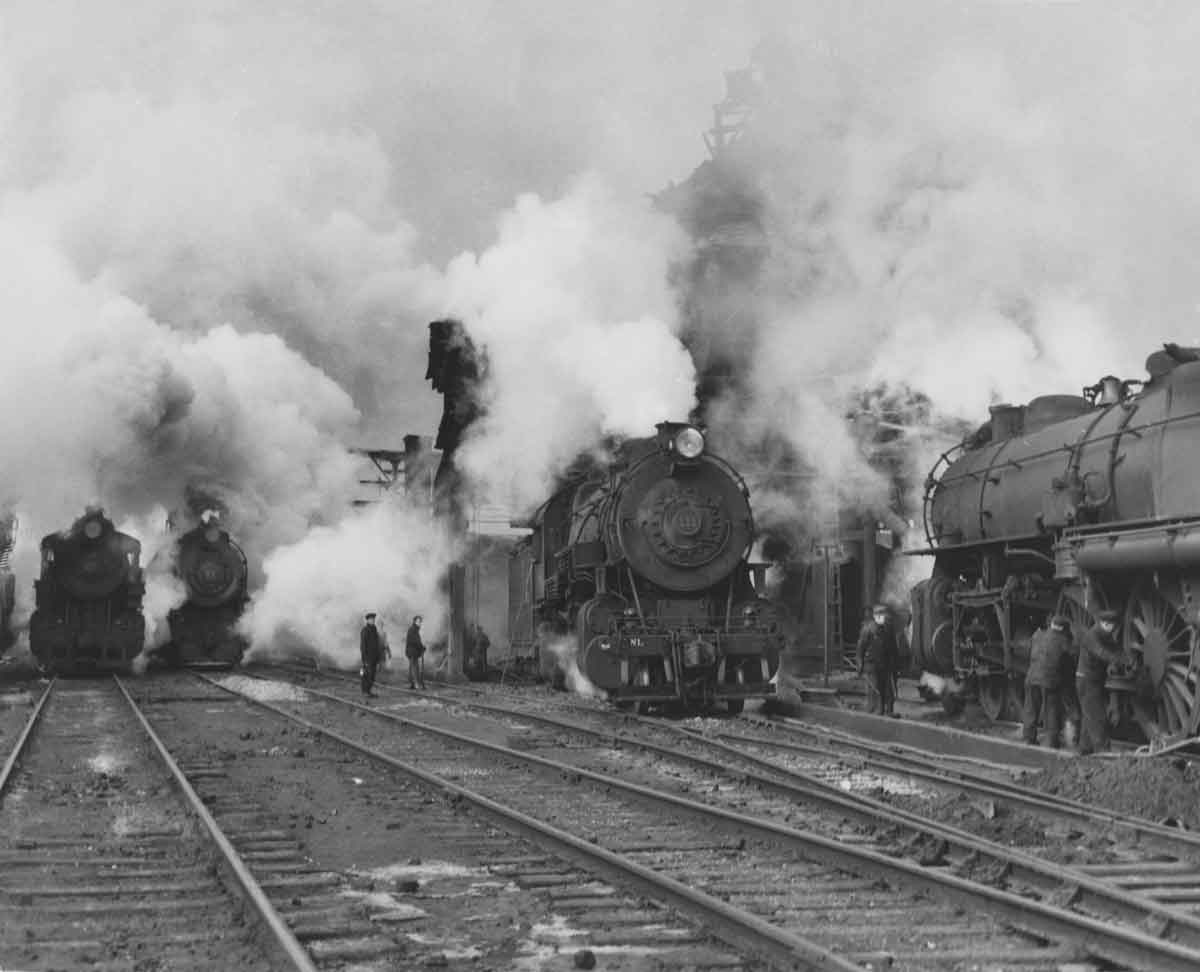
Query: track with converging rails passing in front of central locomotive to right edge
{"type": "Point", "coordinates": [1130, 871]}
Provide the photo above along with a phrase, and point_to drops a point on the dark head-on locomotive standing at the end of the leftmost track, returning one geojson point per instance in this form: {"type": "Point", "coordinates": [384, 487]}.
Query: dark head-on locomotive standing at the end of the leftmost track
{"type": "Point", "coordinates": [88, 599]}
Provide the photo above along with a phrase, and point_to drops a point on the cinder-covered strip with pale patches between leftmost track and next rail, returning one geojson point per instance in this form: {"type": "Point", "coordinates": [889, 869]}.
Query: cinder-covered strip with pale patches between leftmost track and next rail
{"type": "Point", "coordinates": [477, 897]}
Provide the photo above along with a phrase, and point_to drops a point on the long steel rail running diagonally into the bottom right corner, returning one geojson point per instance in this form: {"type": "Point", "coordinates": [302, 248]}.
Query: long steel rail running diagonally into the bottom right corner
{"type": "Point", "coordinates": [1099, 938]}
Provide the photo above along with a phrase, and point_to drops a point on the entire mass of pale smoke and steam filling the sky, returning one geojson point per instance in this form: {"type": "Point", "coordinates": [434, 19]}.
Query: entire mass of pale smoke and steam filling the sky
{"type": "Point", "coordinates": [225, 229]}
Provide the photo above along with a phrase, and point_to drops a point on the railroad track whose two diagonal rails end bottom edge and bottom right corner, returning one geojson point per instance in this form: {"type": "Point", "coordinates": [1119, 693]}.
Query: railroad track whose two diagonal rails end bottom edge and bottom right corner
{"type": "Point", "coordinates": [831, 891]}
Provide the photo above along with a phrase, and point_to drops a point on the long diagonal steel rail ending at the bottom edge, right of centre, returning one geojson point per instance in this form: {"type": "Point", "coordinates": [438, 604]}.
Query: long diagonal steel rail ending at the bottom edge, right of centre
{"type": "Point", "coordinates": [739, 927]}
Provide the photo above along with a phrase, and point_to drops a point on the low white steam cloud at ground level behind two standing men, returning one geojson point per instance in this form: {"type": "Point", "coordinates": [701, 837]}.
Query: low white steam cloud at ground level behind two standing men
{"type": "Point", "coordinates": [388, 559]}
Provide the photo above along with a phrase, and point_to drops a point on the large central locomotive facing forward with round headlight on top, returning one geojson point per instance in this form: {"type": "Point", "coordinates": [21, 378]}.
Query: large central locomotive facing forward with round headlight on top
{"type": "Point", "coordinates": [640, 567]}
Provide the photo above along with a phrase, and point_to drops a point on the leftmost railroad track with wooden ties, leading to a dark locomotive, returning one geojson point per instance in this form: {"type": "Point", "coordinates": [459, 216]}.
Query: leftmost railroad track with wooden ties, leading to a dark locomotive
{"type": "Point", "coordinates": [107, 859]}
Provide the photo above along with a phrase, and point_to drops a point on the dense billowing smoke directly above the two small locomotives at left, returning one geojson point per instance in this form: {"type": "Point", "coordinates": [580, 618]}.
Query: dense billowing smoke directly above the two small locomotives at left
{"type": "Point", "coordinates": [119, 411]}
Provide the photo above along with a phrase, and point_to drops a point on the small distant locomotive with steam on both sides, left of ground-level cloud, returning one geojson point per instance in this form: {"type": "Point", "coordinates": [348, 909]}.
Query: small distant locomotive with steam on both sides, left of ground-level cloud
{"type": "Point", "coordinates": [203, 629]}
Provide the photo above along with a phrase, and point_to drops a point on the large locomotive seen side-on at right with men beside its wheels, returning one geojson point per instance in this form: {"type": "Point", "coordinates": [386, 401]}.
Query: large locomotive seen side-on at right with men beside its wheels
{"type": "Point", "coordinates": [1075, 505]}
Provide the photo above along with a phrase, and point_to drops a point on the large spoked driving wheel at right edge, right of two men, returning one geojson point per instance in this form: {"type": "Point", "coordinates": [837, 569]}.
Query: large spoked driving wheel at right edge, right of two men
{"type": "Point", "coordinates": [1165, 645]}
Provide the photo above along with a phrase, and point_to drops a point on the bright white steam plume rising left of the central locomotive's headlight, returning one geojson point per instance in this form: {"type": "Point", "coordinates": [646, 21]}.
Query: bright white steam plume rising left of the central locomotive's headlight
{"type": "Point", "coordinates": [573, 309]}
